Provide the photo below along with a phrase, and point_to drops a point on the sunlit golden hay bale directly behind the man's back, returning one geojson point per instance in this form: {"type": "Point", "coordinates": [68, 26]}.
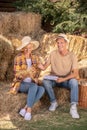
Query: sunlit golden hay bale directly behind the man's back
{"type": "Point", "coordinates": [77, 44]}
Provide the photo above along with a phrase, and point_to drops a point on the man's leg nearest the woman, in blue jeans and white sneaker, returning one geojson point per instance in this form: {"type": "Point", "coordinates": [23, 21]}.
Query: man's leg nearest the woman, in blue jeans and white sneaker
{"type": "Point", "coordinates": [48, 85]}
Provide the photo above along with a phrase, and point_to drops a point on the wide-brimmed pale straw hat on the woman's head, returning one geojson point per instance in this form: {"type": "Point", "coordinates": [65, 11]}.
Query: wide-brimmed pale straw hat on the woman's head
{"type": "Point", "coordinates": [27, 40]}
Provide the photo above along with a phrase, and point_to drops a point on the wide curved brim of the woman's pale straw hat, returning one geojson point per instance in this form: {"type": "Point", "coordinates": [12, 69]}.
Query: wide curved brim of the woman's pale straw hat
{"type": "Point", "coordinates": [35, 45]}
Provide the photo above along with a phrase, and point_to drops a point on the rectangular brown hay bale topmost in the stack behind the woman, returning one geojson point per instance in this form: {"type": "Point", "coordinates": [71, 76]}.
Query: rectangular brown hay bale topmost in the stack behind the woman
{"type": "Point", "coordinates": [20, 23]}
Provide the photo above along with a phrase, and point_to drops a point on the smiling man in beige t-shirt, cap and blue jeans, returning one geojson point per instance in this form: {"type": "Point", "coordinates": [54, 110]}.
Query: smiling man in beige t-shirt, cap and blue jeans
{"type": "Point", "coordinates": [63, 65]}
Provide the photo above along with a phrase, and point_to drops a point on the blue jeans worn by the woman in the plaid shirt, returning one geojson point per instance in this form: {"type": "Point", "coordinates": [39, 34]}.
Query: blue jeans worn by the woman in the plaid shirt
{"type": "Point", "coordinates": [34, 92]}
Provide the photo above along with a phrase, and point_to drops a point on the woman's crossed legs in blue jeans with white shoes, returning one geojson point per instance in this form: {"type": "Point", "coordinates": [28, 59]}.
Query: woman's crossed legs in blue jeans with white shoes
{"type": "Point", "coordinates": [34, 94]}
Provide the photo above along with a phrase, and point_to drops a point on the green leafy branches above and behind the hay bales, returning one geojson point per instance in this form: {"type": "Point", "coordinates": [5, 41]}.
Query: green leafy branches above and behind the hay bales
{"type": "Point", "coordinates": [64, 15]}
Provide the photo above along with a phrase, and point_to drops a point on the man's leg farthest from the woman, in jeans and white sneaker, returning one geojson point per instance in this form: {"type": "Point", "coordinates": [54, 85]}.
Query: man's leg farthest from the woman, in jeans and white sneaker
{"type": "Point", "coordinates": [72, 84]}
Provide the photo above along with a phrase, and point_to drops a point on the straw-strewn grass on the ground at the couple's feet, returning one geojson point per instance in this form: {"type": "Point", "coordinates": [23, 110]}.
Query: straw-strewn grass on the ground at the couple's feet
{"type": "Point", "coordinates": [45, 120]}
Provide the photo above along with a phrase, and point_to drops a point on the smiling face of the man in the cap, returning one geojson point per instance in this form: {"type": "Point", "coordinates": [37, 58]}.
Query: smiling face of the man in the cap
{"type": "Point", "coordinates": [62, 44]}
